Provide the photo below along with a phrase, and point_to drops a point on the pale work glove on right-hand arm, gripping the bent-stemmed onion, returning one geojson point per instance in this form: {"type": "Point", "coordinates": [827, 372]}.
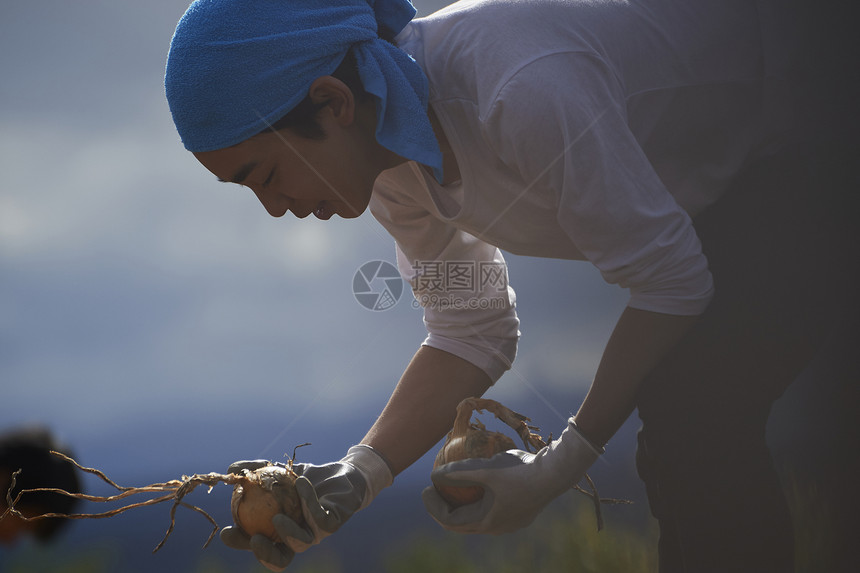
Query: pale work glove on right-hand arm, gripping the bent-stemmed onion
{"type": "Point", "coordinates": [517, 485]}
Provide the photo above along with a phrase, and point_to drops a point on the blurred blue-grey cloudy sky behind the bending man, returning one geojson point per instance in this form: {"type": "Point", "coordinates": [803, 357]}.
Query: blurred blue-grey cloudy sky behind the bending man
{"type": "Point", "coordinates": [152, 316]}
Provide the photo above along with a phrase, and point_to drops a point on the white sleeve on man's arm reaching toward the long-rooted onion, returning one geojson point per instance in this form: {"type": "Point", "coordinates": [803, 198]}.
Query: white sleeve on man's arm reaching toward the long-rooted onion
{"type": "Point", "coordinates": [460, 282]}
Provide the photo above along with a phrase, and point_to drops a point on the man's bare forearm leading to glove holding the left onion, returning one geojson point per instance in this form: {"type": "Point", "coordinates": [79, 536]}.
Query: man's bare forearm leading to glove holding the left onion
{"type": "Point", "coordinates": [422, 407]}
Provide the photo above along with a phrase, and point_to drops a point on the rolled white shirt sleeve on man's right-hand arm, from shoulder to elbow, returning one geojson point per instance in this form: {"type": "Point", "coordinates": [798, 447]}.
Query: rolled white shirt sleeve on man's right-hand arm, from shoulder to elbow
{"type": "Point", "coordinates": [560, 121]}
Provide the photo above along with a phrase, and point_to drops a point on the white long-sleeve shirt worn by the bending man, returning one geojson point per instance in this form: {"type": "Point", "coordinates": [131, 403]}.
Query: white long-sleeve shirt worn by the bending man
{"type": "Point", "coordinates": [586, 130]}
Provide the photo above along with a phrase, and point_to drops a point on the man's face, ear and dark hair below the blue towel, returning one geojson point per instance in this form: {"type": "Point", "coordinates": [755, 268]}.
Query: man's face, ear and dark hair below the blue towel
{"type": "Point", "coordinates": [321, 158]}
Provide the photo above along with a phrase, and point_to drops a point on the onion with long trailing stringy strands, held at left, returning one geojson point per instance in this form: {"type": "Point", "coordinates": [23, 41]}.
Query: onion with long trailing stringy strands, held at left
{"type": "Point", "coordinates": [257, 496]}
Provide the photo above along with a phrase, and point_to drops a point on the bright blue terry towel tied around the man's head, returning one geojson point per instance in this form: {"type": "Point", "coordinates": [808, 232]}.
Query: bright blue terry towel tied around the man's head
{"type": "Point", "coordinates": [237, 66]}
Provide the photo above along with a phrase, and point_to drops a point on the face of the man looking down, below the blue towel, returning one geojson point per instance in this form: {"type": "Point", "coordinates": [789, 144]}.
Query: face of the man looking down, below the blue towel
{"type": "Point", "coordinates": [333, 176]}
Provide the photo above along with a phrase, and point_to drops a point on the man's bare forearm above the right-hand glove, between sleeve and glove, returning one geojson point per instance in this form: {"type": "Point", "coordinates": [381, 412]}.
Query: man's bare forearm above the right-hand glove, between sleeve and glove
{"type": "Point", "coordinates": [640, 340]}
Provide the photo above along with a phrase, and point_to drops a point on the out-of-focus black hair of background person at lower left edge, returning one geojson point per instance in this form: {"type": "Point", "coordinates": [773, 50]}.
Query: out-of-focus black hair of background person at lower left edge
{"type": "Point", "coordinates": [28, 450]}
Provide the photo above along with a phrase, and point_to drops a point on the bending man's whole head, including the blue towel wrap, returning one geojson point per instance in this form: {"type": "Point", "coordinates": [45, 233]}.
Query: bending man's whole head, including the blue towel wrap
{"type": "Point", "coordinates": [237, 68]}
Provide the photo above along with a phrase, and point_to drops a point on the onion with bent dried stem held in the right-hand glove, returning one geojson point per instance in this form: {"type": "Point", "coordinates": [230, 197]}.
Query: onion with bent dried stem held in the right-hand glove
{"type": "Point", "coordinates": [470, 439]}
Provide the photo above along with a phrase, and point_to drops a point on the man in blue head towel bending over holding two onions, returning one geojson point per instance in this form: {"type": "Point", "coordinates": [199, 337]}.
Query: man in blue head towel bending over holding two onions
{"type": "Point", "coordinates": [657, 140]}
